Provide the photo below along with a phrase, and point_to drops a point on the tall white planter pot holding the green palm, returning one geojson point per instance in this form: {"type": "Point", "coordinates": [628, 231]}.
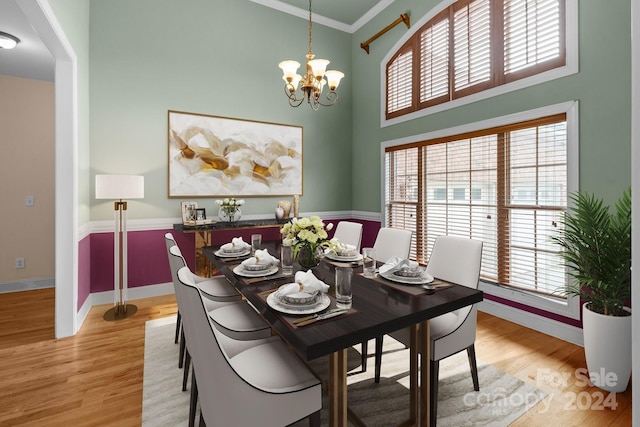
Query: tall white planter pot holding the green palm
{"type": "Point", "coordinates": [607, 347]}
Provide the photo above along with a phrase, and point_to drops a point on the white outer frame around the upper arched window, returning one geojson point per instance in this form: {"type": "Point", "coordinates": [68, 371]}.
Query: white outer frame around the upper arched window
{"type": "Point", "coordinates": [553, 72]}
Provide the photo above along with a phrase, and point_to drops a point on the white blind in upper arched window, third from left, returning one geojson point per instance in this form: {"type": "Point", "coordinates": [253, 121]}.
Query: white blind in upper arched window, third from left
{"type": "Point", "coordinates": [472, 44]}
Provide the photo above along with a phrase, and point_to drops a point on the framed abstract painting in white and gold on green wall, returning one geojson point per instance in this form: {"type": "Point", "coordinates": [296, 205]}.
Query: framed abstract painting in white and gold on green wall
{"type": "Point", "coordinates": [222, 156]}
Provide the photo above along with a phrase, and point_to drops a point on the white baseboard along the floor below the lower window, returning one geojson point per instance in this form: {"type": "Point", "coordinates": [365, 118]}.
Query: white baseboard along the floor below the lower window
{"type": "Point", "coordinates": [541, 324]}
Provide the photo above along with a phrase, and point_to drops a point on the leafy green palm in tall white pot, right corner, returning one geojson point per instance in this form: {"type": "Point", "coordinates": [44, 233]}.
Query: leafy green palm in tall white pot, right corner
{"type": "Point", "coordinates": [596, 246]}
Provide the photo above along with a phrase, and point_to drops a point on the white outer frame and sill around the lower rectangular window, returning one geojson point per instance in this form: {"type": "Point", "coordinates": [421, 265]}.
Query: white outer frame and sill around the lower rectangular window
{"type": "Point", "coordinates": [570, 307]}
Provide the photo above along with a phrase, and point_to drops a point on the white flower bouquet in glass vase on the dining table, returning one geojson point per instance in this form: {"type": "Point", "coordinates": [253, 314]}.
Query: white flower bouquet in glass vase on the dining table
{"type": "Point", "coordinates": [308, 236]}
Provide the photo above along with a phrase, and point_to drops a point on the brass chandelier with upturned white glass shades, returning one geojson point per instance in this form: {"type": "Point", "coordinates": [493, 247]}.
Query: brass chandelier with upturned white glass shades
{"type": "Point", "coordinates": [312, 83]}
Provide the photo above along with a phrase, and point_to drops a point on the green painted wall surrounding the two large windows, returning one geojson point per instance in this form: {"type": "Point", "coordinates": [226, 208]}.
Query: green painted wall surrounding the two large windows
{"type": "Point", "coordinates": [602, 87]}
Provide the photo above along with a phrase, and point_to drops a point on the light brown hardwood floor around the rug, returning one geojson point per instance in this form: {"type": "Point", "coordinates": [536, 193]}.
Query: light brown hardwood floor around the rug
{"type": "Point", "coordinates": [95, 377]}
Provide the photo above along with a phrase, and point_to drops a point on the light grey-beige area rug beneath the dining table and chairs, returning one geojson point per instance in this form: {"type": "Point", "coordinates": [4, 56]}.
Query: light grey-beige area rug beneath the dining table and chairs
{"type": "Point", "coordinates": [501, 400]}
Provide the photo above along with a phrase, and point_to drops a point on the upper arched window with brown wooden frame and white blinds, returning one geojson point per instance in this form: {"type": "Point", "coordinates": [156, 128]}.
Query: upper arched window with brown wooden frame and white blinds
{"type": "Point", "coordinates": [472, 46]}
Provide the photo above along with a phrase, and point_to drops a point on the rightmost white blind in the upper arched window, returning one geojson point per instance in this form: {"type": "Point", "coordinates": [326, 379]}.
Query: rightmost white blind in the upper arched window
{"type": "Point", "coordinates": [531, 33]}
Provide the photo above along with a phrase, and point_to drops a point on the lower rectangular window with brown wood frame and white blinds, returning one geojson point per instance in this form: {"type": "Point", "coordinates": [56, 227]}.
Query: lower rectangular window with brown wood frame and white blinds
{"type": "Point", "coordinates": [505, 186]}
